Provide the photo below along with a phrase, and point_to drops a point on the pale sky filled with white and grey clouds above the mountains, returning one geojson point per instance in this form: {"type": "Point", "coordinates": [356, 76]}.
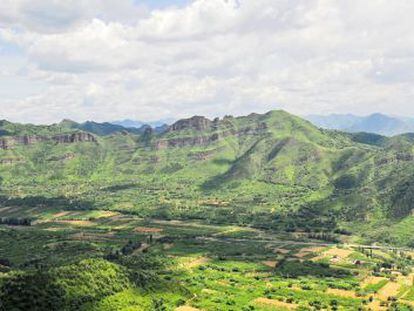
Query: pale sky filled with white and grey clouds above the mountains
{"type": "Point", "coordinates": [107, 60]}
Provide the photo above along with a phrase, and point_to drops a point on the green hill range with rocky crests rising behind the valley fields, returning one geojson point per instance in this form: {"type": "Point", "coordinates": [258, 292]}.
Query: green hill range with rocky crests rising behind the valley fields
{"type": "Point", "coordinates": [272, 170]}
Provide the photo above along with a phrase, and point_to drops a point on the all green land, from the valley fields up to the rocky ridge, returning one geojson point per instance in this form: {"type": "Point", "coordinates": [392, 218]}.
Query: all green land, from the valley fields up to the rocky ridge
{"type": "Point", "coordinates": [264, 212]}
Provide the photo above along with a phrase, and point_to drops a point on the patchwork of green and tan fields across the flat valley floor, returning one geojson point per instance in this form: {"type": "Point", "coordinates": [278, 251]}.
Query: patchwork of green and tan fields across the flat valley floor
{"type": "Point", "coordinates": [214, 267]}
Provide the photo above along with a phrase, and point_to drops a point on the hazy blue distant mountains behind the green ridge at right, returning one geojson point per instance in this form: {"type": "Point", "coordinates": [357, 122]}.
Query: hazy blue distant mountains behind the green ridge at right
{"type": "Point", "coordinates": [375, 123]}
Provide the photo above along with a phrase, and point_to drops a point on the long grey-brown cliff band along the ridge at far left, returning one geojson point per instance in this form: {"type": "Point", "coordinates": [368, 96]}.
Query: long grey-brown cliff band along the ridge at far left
{"type": "Point", "coordinates": [10, 142]}
